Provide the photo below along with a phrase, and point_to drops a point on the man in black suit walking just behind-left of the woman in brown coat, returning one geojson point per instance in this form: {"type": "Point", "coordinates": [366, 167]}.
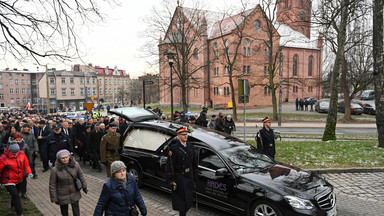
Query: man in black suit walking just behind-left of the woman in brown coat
{"type": "Point", "coordinates": [41, 136]}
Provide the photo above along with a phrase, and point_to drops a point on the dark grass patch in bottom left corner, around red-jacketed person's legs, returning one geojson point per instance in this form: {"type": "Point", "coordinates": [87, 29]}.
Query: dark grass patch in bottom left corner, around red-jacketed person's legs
{"type": "Point", "coordinates": [5, 205]}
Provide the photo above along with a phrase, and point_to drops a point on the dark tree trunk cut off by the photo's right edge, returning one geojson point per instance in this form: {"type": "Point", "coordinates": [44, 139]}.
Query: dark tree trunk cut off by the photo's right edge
{"type": "Point", "coordinates": [378, 55]}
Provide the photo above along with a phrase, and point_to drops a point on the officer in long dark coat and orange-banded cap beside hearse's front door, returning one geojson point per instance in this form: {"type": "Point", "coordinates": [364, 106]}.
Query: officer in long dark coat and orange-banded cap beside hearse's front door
{"type": "Point", "coordinates": [181, 167]}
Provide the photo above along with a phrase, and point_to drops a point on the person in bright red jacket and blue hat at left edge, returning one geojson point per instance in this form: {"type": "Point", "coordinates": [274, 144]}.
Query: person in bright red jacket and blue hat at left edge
{"type": "Point", "coordinates": [12, 165]}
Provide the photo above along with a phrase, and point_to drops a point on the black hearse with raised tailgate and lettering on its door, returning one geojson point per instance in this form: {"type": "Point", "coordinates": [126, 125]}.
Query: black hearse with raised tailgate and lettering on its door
{"type": "Point", "coordinates": [233, 175]}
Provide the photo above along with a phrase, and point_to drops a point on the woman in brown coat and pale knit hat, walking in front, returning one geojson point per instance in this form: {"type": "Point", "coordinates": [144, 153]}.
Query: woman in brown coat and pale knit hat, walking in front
{"type": "Point", "coordinates": [62, 188]}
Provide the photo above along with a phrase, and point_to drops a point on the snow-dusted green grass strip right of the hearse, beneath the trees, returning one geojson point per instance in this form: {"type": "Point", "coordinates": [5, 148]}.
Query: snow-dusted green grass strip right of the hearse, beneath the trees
{"type": "Point", "coordinates": [335, 154]}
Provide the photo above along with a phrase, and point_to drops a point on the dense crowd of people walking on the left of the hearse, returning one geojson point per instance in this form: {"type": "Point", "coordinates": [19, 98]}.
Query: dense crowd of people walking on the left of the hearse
{"type": "Point", "coordinates": [56, 140]}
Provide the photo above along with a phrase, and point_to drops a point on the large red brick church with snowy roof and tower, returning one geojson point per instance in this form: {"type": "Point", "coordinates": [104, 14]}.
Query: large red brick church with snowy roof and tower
{"type": "Point", "coordinates": [213, 39]}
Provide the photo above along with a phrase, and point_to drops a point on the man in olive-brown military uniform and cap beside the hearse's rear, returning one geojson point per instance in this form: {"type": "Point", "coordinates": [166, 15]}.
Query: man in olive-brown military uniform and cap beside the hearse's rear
{"type": "Point", "coordinates": [110, 147]}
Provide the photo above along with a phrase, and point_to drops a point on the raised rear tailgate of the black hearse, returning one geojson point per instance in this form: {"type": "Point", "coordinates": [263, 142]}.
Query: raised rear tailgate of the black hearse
{"type": "Point", "coordinates": [134, 114]}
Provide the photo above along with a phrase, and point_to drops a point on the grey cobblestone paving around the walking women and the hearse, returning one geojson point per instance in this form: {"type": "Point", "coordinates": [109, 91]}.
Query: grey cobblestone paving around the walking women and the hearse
{"type": "Point", "coordinates": [358, 194]}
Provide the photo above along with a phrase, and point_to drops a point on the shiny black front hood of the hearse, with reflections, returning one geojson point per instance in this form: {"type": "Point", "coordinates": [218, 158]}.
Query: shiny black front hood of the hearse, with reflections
{"type": "Point", "coordinates": [290, 179]}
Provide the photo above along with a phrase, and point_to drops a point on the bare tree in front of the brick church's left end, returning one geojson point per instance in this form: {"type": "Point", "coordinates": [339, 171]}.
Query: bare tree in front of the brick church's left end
{"type": "Point", "coordinates": [185, 33]}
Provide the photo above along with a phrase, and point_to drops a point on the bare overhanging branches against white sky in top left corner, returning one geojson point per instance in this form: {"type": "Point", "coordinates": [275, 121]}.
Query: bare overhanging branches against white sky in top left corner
{"type": "Point", "coordinates": [40, 29]}
